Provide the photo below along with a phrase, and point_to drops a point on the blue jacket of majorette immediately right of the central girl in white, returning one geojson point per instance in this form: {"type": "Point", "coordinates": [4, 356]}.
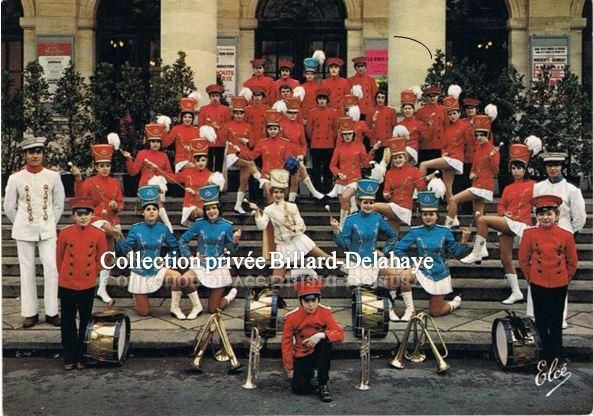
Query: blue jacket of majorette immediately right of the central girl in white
{"type": "Point", "coordinates": [360, 234]}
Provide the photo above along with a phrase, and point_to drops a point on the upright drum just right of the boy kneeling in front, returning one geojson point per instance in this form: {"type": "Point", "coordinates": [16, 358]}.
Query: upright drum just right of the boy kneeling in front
{"type": "Point", "coordinates": [371, 311]}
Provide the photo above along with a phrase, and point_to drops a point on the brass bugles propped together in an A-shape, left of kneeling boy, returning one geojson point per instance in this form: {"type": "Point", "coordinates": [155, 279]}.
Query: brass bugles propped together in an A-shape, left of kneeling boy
{"type": "Point", "coordinates": [203, 339]}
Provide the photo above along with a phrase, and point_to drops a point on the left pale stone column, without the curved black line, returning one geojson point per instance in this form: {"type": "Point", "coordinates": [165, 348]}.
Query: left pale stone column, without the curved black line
{"type": "Point", "coordinates": [191, 26]}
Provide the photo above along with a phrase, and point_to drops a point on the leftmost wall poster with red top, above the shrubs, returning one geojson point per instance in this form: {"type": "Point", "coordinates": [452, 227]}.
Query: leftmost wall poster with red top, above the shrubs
{"type": "Point", "coordinates": [54, 53]}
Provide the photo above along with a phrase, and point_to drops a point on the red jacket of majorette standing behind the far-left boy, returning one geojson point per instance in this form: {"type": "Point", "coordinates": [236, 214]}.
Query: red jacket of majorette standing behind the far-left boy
{"type": "Point", "coordinates": [102, 189]}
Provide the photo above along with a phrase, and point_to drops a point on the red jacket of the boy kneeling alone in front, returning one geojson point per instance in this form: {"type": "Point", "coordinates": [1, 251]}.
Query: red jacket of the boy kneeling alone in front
{"type": "Point", "coordinates": [300, 325]}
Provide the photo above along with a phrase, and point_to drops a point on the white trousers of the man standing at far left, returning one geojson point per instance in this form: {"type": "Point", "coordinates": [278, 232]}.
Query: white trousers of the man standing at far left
{"type": "Point", "coordinates": [47, 255]}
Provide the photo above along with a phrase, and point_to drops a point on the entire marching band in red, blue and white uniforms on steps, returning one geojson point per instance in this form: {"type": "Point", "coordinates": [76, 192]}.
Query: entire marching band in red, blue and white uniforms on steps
{"type": "Point", "coordinates": [343, 125]}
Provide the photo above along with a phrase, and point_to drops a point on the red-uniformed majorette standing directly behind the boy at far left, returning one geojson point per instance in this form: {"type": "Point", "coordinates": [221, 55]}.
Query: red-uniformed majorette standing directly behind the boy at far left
{"type": "Point", "coordinates": [106, 191]}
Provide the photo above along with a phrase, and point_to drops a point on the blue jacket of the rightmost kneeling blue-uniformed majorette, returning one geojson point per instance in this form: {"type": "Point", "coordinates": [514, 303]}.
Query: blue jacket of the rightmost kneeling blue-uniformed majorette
{"type": "Point", "coordinates": [436, 242]}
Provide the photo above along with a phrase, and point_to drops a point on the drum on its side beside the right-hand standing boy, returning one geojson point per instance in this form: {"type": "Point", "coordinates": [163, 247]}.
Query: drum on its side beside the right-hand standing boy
{"type": "Point", "coordinates": [515, 341]}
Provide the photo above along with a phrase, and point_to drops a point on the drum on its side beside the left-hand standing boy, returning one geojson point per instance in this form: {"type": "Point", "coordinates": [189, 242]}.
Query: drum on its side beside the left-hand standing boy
{"type": "Point", "coordinates": [107, 337]}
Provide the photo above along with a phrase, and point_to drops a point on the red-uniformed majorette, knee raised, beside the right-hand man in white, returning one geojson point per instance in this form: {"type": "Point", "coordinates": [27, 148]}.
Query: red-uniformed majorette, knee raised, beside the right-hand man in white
{"type": "Point", "coordinates": [514, 209]}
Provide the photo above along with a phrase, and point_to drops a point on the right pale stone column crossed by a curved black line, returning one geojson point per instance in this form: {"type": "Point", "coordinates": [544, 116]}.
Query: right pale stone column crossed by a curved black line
{"type": "Point", "coordinates": [424, 21]}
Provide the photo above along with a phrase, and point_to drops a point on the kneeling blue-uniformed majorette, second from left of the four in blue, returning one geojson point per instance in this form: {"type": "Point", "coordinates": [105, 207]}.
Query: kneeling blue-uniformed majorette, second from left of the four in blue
{"type": "Point", "coordinates": [216, 240]}
